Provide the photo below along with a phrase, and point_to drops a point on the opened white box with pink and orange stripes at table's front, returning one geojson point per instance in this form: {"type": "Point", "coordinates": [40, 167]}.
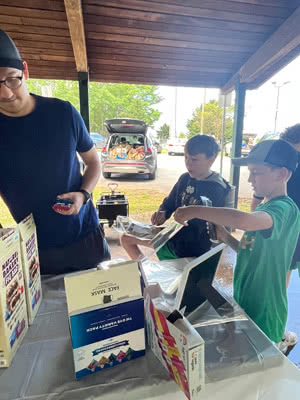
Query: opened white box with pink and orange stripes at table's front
{"type": "Point", "coordinates": [179, 348]}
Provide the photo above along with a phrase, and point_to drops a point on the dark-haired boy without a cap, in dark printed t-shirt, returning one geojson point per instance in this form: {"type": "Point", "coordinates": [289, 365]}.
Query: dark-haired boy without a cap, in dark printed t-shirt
{"type": "Point", "coordinates": [193, 240]}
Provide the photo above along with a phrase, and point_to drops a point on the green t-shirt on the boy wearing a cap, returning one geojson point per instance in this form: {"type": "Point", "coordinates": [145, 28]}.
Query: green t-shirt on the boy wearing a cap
{"type": "Point", "coordinates": [264, 258]}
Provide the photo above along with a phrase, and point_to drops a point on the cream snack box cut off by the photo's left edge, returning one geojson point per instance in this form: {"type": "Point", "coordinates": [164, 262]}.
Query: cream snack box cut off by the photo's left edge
{"type": "Point", "coordinates": [13, 313]}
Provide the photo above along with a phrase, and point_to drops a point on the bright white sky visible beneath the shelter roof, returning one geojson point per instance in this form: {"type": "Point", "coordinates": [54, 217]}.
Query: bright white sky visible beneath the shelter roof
{"type": "Point", "coordinates": [260, 108]}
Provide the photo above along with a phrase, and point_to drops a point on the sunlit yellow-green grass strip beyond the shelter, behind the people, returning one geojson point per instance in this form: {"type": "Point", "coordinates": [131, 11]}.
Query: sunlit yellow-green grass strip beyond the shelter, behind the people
{"type": "Point", "coordinates": [142, 204]}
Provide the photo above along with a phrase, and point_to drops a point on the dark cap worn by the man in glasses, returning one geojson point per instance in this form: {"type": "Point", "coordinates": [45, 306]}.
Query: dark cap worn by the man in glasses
{"type": "Point", "coordinates": [9, 54]}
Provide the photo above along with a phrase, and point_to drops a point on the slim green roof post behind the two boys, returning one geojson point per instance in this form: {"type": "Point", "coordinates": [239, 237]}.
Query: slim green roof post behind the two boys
{"type": "Point", "coordinates": [237, 137]}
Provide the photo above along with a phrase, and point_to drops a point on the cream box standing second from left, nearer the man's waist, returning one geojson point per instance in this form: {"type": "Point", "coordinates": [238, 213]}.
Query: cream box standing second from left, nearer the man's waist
{"type": "Point", "coordinates": [31, 266]}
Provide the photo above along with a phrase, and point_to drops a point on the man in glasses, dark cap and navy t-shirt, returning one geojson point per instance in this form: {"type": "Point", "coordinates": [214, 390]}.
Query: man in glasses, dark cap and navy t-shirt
{"type": "Point", "coordinates": [39, 141]}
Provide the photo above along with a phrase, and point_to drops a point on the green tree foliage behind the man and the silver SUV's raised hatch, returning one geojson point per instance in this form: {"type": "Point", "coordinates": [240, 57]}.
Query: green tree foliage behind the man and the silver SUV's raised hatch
{"type": "Point", "coordinates": [107, 100]}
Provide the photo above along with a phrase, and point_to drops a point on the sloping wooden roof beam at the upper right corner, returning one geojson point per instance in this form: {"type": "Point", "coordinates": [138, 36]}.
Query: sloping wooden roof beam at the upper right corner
{"type": "Point", "coordinates": [276, 48]}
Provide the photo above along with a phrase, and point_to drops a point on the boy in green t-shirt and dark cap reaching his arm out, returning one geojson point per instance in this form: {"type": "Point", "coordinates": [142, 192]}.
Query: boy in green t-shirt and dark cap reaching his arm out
{"type": "Point", "coordinates": [271, 232]}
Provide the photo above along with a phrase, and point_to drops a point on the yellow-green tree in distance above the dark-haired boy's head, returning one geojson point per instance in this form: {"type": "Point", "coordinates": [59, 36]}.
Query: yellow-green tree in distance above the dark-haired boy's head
{"type": "Point", "coordinates": [212, 121]}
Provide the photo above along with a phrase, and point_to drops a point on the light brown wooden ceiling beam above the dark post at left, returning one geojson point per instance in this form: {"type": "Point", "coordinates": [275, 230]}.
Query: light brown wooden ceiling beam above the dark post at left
{"type": "Point", "coordinates": [76, 27]}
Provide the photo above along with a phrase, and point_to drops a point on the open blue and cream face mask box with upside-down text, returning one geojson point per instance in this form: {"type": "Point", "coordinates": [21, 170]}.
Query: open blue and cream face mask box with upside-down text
{"type": "Point", "coordinates": [106, 317]}
